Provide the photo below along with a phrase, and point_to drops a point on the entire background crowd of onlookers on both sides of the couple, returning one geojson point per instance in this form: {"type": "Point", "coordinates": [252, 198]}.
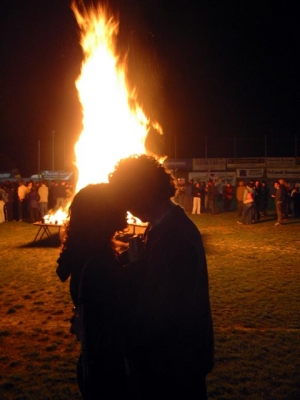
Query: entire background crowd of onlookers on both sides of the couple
{"type": "Point", "coordinates": [30, 201]}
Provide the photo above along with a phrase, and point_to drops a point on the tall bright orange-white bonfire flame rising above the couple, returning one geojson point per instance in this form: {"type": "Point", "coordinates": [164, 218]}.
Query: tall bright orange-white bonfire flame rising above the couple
{"type": "Point", "coordinates": [112, 129]}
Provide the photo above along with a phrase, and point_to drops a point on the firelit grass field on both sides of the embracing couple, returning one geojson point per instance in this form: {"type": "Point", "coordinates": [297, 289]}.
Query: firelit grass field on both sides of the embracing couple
{"type": "Point", "coordinates": [254, 274]}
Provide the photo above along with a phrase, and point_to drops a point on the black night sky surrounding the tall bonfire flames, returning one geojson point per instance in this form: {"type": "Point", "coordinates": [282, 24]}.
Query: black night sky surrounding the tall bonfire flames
{"type": "Point", "coordinates": [218, 70]}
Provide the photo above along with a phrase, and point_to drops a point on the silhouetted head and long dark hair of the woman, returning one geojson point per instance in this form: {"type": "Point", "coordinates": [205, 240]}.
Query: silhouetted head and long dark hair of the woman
{"type": "Point", "coordinates": [95, 216]}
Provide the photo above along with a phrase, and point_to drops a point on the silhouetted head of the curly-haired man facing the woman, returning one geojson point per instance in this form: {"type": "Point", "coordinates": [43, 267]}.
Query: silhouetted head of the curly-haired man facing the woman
{"type": "Point", "coordinates": [141, 183]}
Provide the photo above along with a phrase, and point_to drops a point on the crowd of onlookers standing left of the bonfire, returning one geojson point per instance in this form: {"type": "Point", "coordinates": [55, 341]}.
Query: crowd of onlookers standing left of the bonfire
{"type": "Point", "coordinates": [30, 201]}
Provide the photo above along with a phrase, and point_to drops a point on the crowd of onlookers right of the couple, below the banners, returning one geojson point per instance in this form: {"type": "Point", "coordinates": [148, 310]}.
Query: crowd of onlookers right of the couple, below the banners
{"type": "Point", "coordinates": [251, 199]}
